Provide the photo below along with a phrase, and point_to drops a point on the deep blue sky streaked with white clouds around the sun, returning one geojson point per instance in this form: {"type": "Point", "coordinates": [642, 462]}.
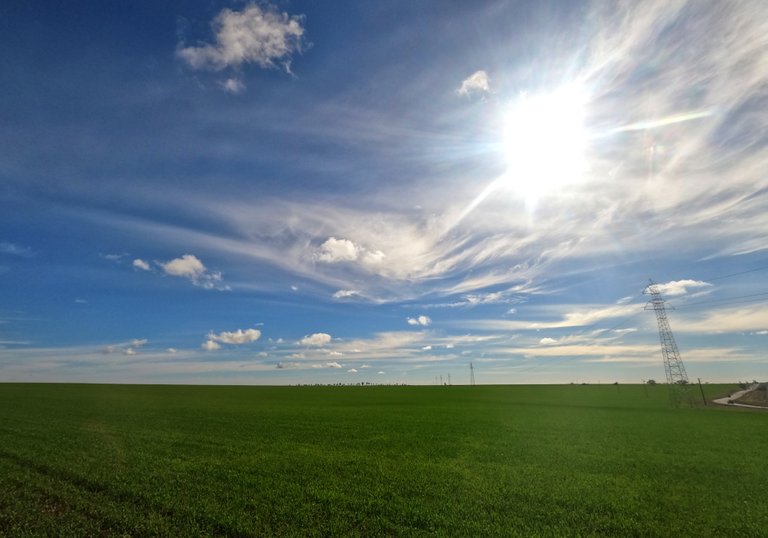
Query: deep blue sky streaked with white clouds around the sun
{"type": "Point", "coordinates": [301, 192]}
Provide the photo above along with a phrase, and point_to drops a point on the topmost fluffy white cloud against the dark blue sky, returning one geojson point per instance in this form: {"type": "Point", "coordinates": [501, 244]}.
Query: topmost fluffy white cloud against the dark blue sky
{"type": "Point", "coordinates": [255, 35]}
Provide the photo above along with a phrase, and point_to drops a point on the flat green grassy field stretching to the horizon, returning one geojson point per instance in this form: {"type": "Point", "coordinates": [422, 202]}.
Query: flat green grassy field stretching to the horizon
{"type": "Point", "coordinates": [611, 460]}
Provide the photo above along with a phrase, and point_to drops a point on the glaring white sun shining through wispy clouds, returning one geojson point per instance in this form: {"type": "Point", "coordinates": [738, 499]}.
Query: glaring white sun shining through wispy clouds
{"type": "Point", "coordinates": [545, 142]}
